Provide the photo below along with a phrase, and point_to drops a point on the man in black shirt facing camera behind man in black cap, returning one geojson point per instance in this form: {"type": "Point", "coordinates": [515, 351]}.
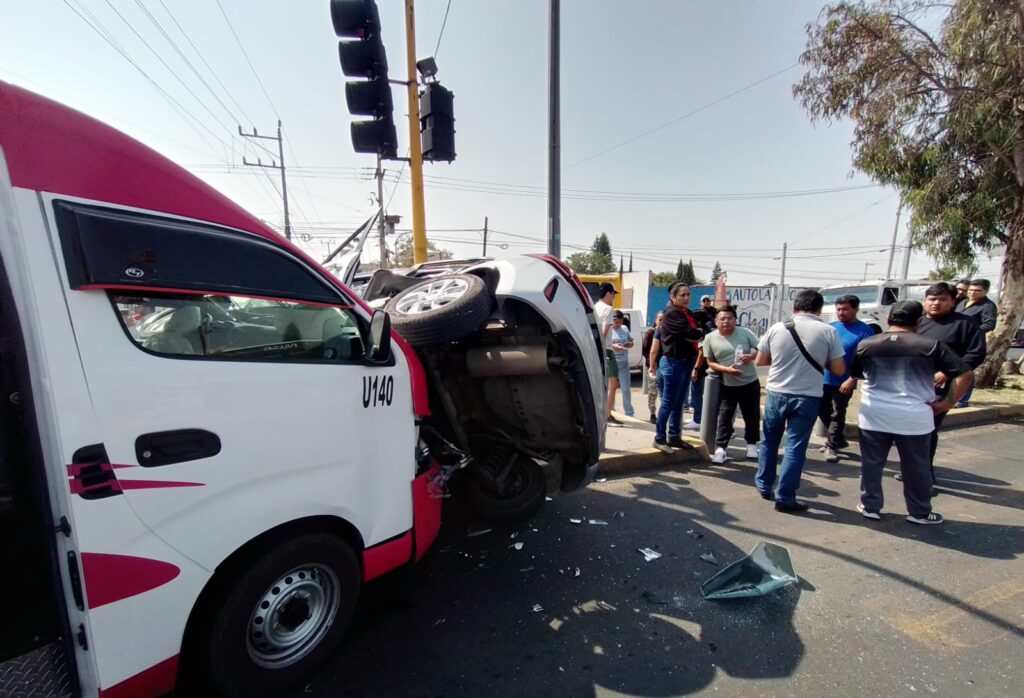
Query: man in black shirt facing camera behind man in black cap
{"type": "Point", "coordinates": [961, 333]}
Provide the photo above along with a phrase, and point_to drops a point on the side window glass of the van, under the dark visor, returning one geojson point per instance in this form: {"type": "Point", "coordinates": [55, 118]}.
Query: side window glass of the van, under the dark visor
{"type": "Point", "coordinates": [243, 329]}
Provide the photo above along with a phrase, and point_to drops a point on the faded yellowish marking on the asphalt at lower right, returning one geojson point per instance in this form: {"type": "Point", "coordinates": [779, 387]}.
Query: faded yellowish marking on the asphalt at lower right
{"type": "Point", "coordinates": [957, 629]}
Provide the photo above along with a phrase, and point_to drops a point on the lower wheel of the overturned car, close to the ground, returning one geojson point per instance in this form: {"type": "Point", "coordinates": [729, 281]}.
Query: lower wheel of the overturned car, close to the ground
{"type": "Point", "coordinates": [506, 489]}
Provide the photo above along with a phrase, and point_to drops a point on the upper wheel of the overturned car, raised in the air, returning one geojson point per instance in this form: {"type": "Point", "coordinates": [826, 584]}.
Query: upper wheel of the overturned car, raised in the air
{"type": "Point", "coordinates": [441, 310]}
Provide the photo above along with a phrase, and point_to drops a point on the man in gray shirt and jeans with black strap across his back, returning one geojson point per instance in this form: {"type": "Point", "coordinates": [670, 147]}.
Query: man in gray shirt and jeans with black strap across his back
{"type": "Point", "coordinates": [798, 352]}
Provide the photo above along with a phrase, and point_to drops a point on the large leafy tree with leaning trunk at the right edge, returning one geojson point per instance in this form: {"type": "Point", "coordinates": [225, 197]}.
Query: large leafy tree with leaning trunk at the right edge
{"type": "Point", "coordinates": [940, 116]}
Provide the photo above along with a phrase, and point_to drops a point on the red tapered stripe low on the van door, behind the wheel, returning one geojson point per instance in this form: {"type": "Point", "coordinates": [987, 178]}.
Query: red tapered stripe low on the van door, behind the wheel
{"type": "Point", "coordinates": [114, 578]}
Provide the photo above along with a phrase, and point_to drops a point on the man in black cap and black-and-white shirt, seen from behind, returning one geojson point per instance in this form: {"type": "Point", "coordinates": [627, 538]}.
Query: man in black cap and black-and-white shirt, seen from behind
{"type": "Point", "coordinates": [899, 407]}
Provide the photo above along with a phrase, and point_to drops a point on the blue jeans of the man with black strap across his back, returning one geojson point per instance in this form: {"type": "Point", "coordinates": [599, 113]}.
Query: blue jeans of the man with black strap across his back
{"type": "Point", "coordinates": [795, 415]}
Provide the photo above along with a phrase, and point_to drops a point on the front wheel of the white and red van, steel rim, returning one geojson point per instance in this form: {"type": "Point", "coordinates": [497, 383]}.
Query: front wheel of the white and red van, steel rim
{"type": "Point", "coordinates": [309, 587]}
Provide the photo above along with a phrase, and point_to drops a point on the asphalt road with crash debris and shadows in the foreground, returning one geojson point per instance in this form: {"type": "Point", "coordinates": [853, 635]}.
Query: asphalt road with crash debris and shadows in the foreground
{"type": "Point", "coordinates": [884, 608]}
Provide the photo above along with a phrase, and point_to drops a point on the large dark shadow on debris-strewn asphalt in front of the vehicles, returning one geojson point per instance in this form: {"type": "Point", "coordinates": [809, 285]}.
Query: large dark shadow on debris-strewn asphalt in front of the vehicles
{"type": "Point", "coordinates": [463, 624]}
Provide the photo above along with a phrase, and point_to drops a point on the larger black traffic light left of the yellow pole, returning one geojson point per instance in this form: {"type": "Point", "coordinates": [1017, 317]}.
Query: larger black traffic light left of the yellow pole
{"type": "Point", "coordinates": [366, 59]}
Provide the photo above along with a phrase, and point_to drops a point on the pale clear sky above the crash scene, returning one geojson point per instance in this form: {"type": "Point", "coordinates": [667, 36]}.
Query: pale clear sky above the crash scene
{"type": "Point", "coordinates": [680, 135]}
